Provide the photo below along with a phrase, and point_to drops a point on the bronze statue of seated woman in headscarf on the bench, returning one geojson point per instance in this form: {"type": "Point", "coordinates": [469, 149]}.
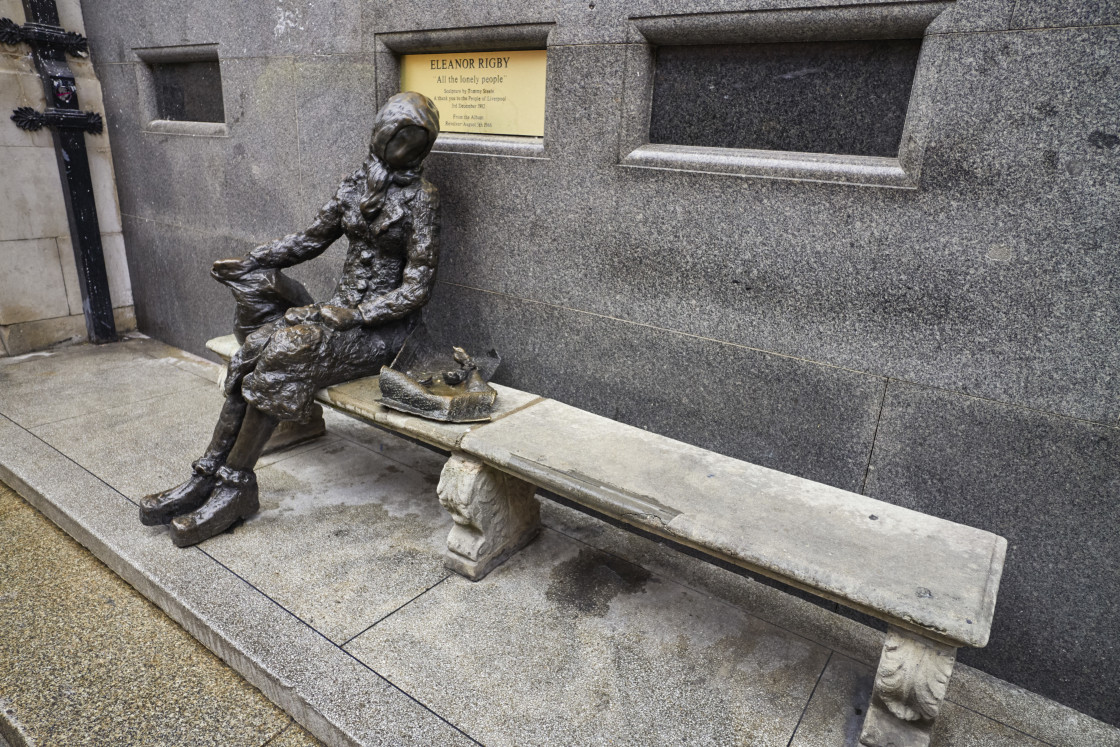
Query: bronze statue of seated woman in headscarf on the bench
{"type": "Point", "coordinates": [390, 216]}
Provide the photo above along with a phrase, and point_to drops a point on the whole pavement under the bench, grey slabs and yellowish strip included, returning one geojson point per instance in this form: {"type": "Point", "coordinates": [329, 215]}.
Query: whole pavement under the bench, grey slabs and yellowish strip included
{"type": "Point", "coordinates": [334, 606]}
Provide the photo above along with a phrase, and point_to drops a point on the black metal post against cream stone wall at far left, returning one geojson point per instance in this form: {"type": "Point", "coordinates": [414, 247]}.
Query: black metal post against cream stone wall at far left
{"type": "Point", "coordinates": [74, 170]}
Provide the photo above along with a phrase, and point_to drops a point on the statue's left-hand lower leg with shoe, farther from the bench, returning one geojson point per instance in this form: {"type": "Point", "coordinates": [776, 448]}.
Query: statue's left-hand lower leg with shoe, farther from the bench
{"type": "Point", "coordinates": [162, 508]}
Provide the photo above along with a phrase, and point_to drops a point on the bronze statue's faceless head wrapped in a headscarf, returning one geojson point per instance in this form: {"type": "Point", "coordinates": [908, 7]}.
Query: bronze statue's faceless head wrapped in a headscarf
{"type": "Point", "coordinates": [405, 130]}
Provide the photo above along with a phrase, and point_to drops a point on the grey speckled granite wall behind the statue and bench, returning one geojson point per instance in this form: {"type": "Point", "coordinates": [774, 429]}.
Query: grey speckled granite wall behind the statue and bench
{"type": "Point", "coordinates": [937, 330]}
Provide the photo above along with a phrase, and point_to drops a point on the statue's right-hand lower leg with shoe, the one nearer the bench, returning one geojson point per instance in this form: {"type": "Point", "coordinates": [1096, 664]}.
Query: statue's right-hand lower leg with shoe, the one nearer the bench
{"type": "Point", "coordinates": [236, 496]}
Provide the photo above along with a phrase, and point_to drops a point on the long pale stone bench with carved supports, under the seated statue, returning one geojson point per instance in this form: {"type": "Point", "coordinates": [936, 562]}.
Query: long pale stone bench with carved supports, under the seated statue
{"type": "Point", "coordinates": [934, 582]}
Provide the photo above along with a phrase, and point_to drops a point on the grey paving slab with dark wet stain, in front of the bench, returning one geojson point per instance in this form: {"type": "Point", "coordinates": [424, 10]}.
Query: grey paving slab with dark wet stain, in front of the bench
{"type": "Point", "coordinates": [564, 645]}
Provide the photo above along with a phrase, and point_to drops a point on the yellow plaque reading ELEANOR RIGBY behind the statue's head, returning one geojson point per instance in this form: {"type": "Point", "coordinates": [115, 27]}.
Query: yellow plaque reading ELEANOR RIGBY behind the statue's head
{"type": "Point", "coordinates": [492, 92]}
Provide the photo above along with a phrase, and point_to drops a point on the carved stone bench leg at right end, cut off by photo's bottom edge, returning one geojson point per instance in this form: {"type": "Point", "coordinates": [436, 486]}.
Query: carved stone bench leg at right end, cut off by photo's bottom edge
{"type": "Point", "coordinates": [910, 688]}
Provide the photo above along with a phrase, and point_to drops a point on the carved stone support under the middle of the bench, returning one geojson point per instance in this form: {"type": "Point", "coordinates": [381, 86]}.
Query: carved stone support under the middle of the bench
{"type": "Point", "coordinates": [496, 516]}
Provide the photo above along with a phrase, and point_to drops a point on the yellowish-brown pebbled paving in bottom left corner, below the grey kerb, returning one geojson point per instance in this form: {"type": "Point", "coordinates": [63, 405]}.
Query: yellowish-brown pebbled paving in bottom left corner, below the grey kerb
{"type": "Point", "coordinates": [89, 661]}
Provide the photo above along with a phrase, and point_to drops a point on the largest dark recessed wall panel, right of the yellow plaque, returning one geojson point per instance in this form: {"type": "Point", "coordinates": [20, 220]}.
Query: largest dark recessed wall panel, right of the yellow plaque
{"type": "Point", "coordinates": [844, 98]}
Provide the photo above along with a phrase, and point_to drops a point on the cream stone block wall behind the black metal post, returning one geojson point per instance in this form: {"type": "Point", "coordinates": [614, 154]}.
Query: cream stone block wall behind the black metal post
{"type": "Point", "coordinates": [41, 300]}
